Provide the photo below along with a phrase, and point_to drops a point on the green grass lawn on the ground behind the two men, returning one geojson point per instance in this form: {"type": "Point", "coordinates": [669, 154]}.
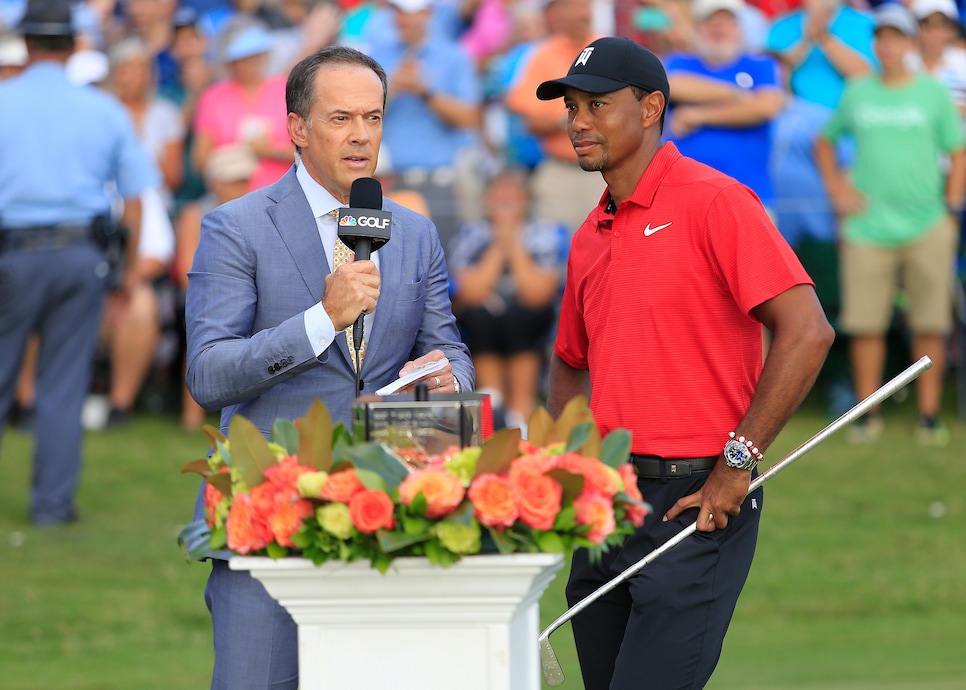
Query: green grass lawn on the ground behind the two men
{"type": "Point", "coordinates": [855, 585]}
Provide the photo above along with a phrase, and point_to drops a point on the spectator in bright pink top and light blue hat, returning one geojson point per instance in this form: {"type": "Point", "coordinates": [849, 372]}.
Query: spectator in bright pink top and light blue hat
{"type": "Point", "coordinates": [248, 108]}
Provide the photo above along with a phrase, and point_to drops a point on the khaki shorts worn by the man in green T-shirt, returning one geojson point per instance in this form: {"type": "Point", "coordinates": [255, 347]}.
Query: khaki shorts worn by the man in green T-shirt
{"type": "Point", "coordinates": [871, 275]}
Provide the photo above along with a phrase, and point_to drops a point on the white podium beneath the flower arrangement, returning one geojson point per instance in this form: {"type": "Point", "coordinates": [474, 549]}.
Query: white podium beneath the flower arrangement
{"type": "Point", "coordinates": [472, 626]}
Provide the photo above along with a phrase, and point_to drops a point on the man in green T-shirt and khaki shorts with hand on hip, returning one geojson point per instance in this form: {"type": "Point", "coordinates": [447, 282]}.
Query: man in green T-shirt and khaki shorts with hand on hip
{"type": "Point", "coordinates": [897, 209]}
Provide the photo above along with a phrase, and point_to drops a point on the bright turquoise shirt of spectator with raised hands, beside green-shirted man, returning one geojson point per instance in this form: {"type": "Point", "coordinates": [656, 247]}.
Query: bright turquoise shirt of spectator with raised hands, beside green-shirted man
{"type": "Point", "coordinates": [815, 79]}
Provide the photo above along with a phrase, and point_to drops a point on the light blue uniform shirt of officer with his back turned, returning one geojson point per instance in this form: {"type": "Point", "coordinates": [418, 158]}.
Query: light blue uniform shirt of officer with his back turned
{"type": "Point", "coordinates": [92, 141]}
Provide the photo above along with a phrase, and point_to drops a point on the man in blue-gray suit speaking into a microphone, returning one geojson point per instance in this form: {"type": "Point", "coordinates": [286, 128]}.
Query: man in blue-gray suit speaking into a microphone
{"type": "Point", "coordinates": [266, 313]}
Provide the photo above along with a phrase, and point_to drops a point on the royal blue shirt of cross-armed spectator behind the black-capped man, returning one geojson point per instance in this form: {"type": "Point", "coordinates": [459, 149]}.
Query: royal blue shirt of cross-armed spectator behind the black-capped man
{"type": "Point", "coordinates": [741, 152]}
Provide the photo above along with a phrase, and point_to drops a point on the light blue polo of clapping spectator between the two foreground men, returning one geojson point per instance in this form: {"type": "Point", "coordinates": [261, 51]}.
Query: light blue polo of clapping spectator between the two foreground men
{"type": "Point", "coordinates": [415, 136]}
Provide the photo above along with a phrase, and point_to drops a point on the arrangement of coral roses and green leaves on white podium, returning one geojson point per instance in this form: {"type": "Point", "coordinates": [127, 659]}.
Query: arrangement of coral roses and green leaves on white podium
{"type": "Point", "coordinates": [312, 490]}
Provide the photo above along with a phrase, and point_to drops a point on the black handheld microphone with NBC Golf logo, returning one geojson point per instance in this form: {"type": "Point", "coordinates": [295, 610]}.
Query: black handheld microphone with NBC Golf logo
{"type": "Point", "coordinates": [364, 227]}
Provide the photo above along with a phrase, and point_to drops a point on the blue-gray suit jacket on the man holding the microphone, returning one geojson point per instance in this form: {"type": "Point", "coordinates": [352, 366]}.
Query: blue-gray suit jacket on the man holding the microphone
{"type": "Point", "coordinates": [259, 265]}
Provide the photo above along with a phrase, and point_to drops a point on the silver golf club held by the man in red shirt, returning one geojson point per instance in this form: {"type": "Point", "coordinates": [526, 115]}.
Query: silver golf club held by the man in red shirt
{"type": "Point", "coordinates": [552, 672]}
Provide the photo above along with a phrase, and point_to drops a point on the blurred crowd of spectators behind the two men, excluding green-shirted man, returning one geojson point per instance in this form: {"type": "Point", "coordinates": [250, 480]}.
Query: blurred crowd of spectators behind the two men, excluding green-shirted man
{"type": "Point", "coordinates": [466, 142]}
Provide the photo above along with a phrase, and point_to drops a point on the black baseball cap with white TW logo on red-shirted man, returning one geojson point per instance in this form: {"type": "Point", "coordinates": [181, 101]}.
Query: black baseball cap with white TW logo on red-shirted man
{"type": "Point", "coordinates": [610, 64]}
